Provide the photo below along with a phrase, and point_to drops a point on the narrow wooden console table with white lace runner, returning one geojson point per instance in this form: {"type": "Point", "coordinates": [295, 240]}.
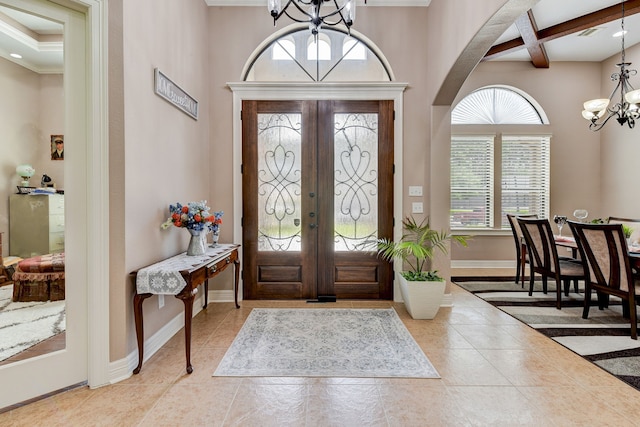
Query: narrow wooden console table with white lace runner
{"type": "Point", "coordinates": [180, 276]}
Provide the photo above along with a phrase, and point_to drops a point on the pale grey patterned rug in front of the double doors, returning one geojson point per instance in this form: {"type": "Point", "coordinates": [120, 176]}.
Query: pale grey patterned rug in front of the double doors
{"type": "Point", "coordinates": [325, 343]}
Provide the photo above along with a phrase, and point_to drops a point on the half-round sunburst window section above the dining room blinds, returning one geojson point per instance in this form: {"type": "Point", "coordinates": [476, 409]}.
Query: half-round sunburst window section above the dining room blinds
{"type": "Point", "coordinates": [496, 105]}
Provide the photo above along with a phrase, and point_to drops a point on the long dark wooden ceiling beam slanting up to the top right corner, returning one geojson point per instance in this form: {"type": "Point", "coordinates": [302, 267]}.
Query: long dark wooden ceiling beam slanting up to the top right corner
{"type": "Point", "coordinates": [603, 16]}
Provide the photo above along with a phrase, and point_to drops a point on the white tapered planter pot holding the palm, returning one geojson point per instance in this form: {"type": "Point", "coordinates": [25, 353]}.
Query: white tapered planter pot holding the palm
{"type": "Point", "coordinates": [422, 299]}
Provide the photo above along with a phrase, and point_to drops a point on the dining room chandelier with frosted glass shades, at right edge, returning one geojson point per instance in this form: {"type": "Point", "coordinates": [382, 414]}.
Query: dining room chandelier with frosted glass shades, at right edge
{"type": "Point", "coordinates": [599, 111]}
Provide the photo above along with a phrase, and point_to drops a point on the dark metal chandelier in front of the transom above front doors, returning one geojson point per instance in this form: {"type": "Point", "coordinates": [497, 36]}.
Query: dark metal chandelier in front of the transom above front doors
{"type": "Point", "coordinates": [342, 12]}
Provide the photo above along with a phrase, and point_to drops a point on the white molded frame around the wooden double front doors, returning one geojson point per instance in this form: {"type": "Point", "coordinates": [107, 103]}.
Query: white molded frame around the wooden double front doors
{"type": "Point", "coordinates": [317, 91]}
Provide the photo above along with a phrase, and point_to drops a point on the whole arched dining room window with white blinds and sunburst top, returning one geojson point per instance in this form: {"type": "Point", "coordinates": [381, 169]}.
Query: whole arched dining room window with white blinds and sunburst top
{"type": "Point", "coordinates": [518, 177]}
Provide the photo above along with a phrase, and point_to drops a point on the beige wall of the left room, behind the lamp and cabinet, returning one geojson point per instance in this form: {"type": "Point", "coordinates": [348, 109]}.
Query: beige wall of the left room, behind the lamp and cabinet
{"type": "Point", "coordinates": [30, 112]}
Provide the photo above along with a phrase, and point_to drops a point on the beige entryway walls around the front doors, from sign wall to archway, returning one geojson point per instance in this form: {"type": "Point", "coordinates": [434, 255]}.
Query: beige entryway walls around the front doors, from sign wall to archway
{"type": "Point", "coordinates": [159, 155]}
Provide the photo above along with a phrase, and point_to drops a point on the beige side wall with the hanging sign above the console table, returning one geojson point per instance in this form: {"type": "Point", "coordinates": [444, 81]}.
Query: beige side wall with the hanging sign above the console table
{"type": "Point", "coordinates": [160, 155]}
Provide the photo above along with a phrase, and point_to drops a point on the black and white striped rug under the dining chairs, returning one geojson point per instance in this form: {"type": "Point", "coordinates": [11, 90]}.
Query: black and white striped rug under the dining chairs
{"type": "Point", "coordinates": [603, 338]}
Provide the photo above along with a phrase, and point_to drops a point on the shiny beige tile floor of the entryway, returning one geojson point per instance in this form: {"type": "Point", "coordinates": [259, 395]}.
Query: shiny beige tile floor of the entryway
{"type": "Point", "coordinates": [495, 372]}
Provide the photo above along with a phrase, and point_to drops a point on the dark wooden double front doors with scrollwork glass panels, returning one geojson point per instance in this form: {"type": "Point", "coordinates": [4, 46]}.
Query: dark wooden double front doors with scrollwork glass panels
{"type": "Point", "coordinates": [317, 184]}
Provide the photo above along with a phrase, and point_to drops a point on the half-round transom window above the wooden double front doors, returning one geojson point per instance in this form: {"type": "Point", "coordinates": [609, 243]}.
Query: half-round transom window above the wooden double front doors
{"type": "Point", "coordinates": [358, 60]}
